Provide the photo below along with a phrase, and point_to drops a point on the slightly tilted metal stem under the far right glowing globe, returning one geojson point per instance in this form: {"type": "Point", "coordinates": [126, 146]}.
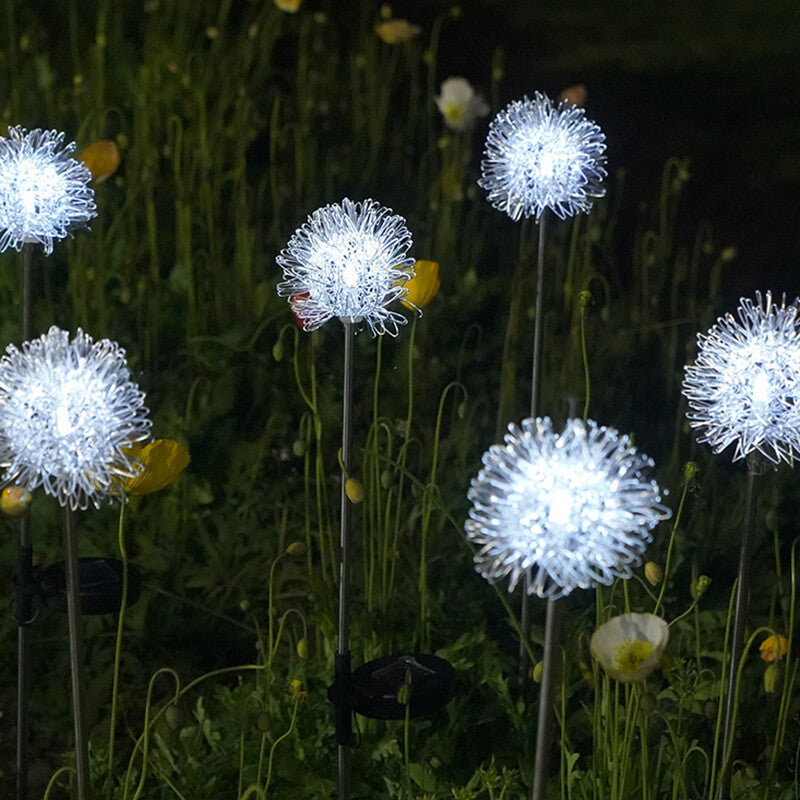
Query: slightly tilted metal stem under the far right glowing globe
{"type": "Point", "coordinates": [739, 618]}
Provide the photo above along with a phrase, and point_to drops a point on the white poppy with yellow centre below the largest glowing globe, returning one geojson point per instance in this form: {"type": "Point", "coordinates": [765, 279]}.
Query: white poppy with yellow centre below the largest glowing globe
{"type": "Point", "coordinates": [630, 646]}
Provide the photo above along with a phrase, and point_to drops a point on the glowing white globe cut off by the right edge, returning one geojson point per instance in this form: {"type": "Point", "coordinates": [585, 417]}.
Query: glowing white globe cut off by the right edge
{"type": "Point", "coordinates": [744, 387]}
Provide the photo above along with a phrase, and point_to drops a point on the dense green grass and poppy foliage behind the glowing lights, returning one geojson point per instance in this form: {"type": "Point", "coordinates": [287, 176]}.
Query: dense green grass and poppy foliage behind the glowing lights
{"type": "Point", "coordinates": [234, 121]}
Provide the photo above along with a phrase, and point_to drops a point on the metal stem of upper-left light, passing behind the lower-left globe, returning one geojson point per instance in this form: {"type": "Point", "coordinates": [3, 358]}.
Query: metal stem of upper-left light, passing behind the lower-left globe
{"type": "Point", "coordinates": [24, 579]}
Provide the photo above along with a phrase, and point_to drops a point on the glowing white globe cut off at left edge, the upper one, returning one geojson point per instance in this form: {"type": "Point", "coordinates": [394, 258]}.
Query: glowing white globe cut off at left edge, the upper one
{"type": "Point", "coordinates": [43, 192]}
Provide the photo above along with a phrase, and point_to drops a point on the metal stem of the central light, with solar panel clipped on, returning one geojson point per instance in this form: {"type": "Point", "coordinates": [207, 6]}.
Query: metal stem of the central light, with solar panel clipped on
{"type": "Point", "coordinates": [344, 732]}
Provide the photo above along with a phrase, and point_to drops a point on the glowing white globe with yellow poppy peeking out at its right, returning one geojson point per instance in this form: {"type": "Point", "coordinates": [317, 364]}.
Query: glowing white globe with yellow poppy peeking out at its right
{"type": "Point", "coordinates": [349, 260]}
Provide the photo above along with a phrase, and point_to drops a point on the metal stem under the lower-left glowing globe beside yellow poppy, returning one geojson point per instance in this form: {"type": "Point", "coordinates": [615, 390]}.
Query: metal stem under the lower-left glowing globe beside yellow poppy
{"type": "Point", "coordinates": [76, 661]}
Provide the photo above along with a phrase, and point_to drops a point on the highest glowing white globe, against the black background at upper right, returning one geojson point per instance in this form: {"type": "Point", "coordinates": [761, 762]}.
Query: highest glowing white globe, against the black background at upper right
{"type": "Point", "coordinates": [541, 155]}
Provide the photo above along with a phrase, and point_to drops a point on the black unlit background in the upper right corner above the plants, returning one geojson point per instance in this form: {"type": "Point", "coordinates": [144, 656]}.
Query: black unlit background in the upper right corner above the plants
{"type": "Point", "coordinates": [716, 82]}
